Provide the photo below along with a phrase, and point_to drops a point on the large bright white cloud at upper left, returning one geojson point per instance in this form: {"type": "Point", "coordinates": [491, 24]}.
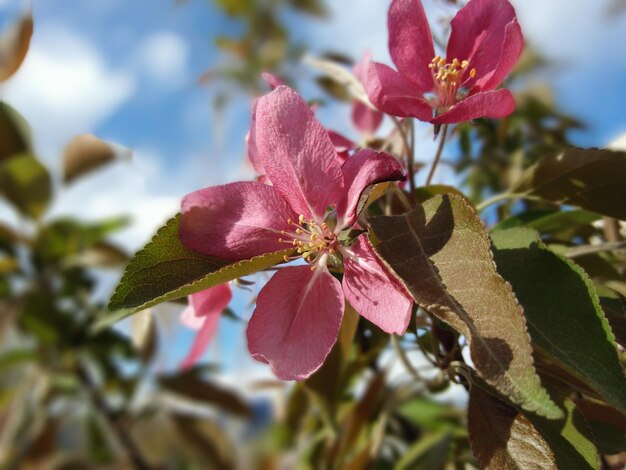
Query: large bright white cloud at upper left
{"type": "Point", "coordinates": [65, 88]}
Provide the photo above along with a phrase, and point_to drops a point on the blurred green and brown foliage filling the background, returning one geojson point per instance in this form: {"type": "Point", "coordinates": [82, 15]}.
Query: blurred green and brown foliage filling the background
{"type": "Point", "coordinates": [76, 395]}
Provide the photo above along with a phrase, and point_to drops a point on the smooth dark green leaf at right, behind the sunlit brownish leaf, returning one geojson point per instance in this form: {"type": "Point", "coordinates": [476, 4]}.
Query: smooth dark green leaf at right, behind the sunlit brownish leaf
{"type": "Point", "coordinates": [562, 310]}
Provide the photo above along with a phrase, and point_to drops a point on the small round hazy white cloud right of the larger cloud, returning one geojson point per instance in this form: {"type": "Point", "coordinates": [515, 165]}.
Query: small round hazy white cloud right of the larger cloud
{"type": "Point", "coordinates": [164, 57]}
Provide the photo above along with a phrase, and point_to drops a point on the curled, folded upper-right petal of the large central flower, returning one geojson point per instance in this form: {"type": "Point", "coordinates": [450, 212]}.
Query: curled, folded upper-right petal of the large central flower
{"type": "Point", "coordinates": [364, 168]}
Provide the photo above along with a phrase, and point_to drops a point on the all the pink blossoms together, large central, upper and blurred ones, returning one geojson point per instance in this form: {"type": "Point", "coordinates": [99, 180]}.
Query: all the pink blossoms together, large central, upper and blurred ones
{"type": "Point", "coordinates": [307, 197]}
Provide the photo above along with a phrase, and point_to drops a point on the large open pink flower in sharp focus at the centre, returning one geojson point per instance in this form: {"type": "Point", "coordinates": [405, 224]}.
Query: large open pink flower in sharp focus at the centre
{"type": "Point", "coordinates": [311, 205]}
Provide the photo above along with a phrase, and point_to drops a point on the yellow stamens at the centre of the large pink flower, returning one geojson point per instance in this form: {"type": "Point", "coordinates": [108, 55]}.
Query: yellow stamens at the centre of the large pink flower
{"type": "Point", "coordinates": [314, 242]}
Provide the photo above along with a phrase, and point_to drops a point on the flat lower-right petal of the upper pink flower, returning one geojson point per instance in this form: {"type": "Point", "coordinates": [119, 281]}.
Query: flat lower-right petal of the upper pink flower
{"type": "Point", "coordinates": [491, 104]}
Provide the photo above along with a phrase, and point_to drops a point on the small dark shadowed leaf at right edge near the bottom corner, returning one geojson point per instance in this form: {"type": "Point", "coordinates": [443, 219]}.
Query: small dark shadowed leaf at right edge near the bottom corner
{"type": "Point", "coordinates": [608, 425]}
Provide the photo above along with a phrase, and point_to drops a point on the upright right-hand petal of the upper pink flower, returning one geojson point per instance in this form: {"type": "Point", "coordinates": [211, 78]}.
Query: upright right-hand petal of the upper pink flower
{"type": "Point", "coordinates": [478, 35]}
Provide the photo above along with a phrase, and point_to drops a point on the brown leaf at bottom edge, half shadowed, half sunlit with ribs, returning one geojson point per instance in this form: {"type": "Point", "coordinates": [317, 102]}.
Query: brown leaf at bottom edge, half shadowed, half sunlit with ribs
{"type": "Point", "coordinates": [501, 437]}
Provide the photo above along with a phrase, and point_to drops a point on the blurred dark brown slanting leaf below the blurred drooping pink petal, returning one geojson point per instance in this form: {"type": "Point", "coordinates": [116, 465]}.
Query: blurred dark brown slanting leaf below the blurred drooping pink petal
{"type": "Point", "coordinates": [190, 384]}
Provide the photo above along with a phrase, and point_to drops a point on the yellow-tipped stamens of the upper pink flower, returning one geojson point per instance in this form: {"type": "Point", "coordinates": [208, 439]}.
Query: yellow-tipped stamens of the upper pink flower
{"type": "Point", "coordinates": [448, 79]}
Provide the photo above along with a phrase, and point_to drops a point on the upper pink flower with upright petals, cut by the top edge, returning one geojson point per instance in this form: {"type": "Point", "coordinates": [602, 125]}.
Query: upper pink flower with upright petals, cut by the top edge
{"type": "Point", "coordinates": [484, 45]}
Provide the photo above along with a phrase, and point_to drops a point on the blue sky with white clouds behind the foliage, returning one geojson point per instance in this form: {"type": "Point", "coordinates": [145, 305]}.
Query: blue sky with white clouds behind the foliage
{"type": "Point", "coordinates": [126, 71]}
